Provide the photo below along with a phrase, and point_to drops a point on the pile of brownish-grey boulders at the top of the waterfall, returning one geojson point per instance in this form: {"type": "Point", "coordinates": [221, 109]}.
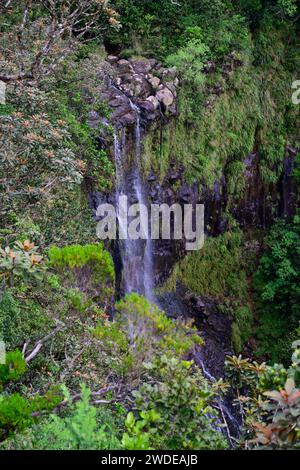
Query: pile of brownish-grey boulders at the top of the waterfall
{"type": "Point", "coordinates": [144, 83]}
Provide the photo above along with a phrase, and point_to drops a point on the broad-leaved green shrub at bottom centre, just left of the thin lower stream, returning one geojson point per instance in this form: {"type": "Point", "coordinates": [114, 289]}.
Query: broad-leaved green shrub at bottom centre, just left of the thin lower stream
{"type": "Point", "coordinates": [180, 397]}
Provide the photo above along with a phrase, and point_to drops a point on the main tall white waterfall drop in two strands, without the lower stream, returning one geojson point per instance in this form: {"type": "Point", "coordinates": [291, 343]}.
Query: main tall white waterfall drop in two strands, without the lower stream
{"type": "Point", "coordinates": [136, 255]}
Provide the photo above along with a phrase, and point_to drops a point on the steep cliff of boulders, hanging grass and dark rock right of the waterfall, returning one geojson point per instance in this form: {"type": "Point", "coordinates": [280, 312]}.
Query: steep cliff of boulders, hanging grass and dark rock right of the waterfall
{"type": "Point", "coordinates": [232, 145]}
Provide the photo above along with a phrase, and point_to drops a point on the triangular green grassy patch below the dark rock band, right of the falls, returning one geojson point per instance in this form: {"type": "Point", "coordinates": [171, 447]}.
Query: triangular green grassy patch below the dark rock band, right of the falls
{"type": "Point", "coordinates": [218, 272]}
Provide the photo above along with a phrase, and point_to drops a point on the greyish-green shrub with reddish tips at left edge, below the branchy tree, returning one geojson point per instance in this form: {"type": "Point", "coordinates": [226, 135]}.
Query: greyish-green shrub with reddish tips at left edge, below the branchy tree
{"type": "Point", "coordinates": [39, 151]}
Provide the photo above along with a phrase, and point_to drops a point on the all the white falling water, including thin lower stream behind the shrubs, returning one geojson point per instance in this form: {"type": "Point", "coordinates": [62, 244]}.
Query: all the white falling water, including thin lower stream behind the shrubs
{"type": "Point", "coordinates": [137, 255]}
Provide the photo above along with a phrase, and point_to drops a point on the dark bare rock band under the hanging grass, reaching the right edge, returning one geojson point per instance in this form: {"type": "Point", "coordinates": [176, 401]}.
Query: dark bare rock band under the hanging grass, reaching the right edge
{"type": "Point", "coordinates": [259, 203]}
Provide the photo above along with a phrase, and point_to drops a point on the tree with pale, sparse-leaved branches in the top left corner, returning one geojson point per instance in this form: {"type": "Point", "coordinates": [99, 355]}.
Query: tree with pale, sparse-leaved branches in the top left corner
{"type": "Point", "coordinates": [47, 31]}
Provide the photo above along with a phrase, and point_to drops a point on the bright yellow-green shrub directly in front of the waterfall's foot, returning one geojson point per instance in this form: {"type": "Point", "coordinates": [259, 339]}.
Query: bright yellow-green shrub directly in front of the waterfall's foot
{"type": "Point", "coordinates": [139, 330]}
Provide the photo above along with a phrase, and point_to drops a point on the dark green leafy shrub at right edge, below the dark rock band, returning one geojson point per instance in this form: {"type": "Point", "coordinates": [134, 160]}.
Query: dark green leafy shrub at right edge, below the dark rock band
{"type": "Point", "coordinates": [277, 287]}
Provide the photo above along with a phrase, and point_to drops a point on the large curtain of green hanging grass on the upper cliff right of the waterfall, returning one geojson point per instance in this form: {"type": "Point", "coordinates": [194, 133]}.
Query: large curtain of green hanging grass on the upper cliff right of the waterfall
{"type": "Point", "coordinates": [254, 111]}
